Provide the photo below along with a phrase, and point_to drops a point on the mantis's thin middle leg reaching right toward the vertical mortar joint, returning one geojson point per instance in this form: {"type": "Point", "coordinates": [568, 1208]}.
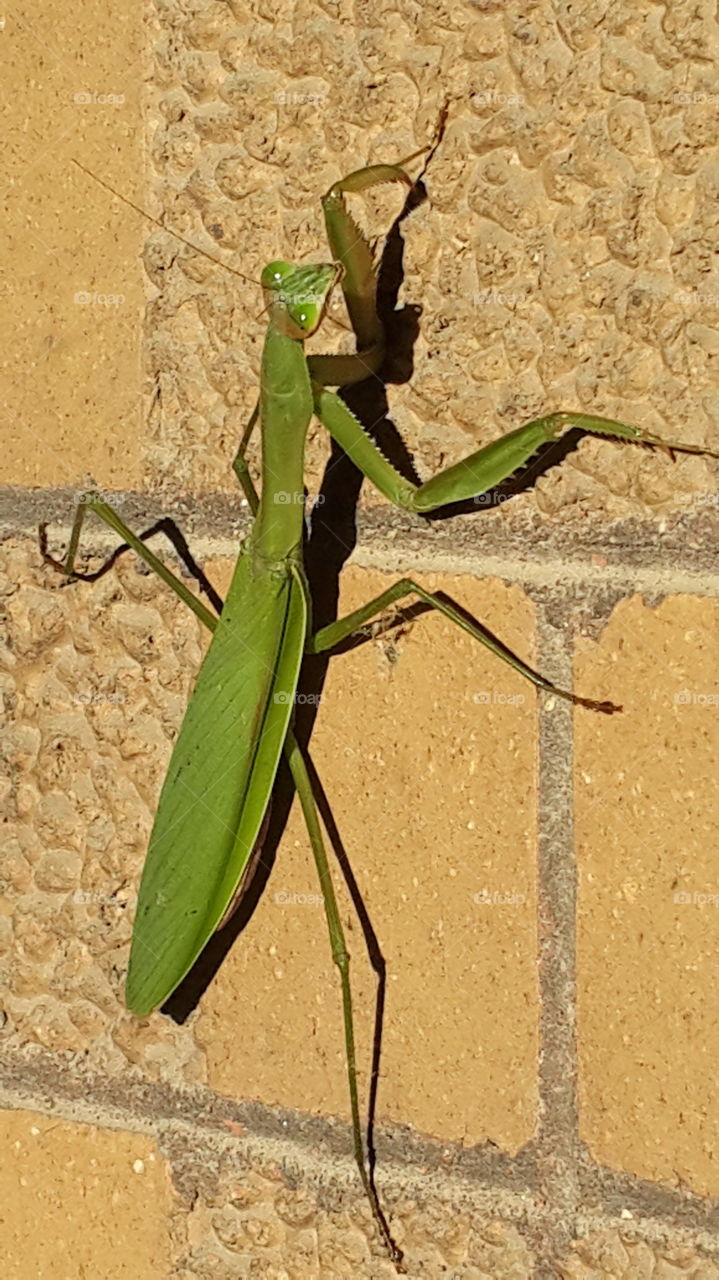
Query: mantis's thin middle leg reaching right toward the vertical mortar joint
{"type": "Point", "coordinates": [355, 624]}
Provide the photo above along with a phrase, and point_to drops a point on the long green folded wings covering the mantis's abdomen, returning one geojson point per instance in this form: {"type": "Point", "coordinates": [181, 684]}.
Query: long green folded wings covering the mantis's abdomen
{"type": "Point", "coordinates": [219, 780]}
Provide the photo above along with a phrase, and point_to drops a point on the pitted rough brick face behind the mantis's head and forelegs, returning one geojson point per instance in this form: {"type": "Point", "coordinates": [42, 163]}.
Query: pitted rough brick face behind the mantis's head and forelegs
{"type": "Point", "coordinates": [564, 260]}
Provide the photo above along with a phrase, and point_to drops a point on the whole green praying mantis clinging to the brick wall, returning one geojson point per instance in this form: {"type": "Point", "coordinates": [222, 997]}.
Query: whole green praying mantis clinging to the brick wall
{"type": "Point", "coordinates": [240, 721]}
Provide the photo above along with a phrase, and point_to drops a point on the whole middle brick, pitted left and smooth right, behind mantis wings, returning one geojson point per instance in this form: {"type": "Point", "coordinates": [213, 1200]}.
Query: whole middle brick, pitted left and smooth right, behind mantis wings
{"type": "Point", "coordinates": [427, 747]}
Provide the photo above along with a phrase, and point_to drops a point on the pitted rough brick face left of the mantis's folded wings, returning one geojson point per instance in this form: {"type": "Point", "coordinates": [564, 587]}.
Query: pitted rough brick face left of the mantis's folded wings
{"type": "Point", "coordinates": [95, 680]}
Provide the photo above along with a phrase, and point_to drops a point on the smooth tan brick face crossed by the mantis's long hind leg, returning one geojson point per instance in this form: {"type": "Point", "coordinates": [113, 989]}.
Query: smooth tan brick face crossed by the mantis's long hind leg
{"type": "Point", "coordinates": [433, 792]}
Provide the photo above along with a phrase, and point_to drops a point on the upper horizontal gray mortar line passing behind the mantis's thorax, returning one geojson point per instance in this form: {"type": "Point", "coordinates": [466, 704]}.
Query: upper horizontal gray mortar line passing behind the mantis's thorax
{"type": "Point", "coordinates": [675, 556]}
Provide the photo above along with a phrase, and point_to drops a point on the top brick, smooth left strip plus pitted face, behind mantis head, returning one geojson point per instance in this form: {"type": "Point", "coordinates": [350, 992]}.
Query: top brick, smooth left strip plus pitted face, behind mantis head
{"type": "Point", "coordinates": [565, 259]}
